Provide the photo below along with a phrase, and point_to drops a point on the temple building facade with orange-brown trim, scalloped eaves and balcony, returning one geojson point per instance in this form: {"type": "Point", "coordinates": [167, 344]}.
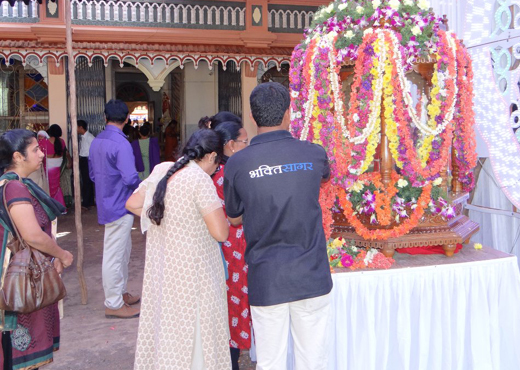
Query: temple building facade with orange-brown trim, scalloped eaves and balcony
{"type": "Point", "coordinates": [168, 60]}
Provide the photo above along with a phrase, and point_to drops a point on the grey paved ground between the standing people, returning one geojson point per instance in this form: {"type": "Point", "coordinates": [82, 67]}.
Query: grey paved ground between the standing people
{"type": "Point", "coordinates": [88, 339]}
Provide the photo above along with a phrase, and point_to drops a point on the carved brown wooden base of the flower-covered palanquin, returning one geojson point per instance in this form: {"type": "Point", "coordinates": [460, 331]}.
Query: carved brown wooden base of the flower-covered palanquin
{"type": "Point", "coordinates": [432, 230]}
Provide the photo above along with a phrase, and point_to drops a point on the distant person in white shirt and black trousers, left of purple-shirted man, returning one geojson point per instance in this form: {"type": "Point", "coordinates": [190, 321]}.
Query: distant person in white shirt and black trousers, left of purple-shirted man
{"type": "Point", "coordinates": [87, 186]}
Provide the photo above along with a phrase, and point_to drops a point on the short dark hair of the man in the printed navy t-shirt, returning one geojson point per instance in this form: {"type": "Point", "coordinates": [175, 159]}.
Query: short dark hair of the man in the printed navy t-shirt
{"type": "Point", "coordinates": [269, 101]}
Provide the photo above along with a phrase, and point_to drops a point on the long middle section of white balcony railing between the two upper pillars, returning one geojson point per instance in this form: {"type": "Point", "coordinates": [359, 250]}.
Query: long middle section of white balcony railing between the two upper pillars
{"type": "Point", "coordinates": [221, 15]}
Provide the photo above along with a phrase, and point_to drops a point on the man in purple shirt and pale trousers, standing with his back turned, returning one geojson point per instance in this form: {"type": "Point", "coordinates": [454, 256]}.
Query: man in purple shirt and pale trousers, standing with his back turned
{"type": "Point", "coordinates": [112, 168]}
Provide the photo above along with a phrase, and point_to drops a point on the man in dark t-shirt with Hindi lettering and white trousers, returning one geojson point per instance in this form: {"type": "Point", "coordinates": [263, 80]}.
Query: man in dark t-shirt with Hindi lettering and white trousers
{"type": "Point", "coordinates": [273, 187]}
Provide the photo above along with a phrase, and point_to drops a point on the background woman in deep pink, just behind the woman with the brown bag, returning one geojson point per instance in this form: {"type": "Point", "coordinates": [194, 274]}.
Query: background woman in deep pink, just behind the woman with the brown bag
{"type": "Point", "coordinates": [55, 151]}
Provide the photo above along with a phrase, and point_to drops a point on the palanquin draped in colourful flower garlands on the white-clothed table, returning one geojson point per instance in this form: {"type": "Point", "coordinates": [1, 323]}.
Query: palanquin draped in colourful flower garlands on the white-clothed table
{"type": "Point", "coordinates": [392, 145]}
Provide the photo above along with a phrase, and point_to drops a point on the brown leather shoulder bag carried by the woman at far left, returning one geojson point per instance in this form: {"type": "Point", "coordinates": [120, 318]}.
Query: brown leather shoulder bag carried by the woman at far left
{"type": "Point", "coordinates": [30, 281]}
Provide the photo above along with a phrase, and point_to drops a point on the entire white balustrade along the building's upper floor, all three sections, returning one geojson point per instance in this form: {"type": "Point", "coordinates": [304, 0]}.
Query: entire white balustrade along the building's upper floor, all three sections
{"type": "Point", "coordinates": [223, 15]}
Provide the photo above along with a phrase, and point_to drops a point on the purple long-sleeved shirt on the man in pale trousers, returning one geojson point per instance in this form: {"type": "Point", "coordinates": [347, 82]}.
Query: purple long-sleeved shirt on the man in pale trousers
{"type": "Point", "coordinates": [112, 168]}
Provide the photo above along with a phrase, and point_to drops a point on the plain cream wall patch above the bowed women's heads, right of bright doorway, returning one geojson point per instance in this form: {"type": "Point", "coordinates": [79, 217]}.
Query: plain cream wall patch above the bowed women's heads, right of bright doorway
{"type": "Point", "coordinates": [200, 99]}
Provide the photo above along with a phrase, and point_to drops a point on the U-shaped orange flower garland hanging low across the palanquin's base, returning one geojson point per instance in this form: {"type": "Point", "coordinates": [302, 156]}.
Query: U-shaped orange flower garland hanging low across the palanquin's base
{"type": "Point", "coordinates": [384, 234]}
